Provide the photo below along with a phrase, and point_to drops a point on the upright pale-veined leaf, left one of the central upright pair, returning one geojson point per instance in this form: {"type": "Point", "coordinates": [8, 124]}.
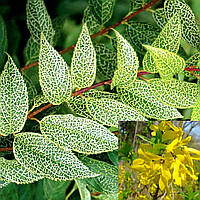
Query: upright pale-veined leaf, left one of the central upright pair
{"type": "Point", "coordinates": [54, 74]}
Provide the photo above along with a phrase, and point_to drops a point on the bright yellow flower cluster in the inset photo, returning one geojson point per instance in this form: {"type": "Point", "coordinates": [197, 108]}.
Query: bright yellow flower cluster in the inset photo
{"type": "Point", "coordinates": [174, 162]}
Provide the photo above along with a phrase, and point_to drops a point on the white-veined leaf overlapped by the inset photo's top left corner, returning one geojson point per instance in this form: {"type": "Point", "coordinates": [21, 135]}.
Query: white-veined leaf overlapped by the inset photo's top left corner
{"type": "Point", "coordinates": [109, 112]}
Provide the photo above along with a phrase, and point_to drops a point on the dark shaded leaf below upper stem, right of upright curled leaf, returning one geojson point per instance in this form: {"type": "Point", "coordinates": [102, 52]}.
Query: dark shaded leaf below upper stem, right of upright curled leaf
{"type": "Point", "coordinates": [139, 33]}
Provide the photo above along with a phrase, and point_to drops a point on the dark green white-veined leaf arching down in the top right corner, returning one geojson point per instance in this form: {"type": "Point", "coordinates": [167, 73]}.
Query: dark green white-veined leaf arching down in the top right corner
{"type": "Point", "coordinates": [190, 30]}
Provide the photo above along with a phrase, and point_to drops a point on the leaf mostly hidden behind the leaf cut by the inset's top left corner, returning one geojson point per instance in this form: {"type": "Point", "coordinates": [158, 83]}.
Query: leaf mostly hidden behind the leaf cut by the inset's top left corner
{"type": "Point", "coordinates": [78, 104]}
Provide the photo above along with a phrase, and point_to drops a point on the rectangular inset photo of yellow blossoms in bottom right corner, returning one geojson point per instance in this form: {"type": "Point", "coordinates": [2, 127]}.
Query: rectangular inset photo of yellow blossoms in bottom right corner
{"type": "Point", "coordinates": [159, 160]}
